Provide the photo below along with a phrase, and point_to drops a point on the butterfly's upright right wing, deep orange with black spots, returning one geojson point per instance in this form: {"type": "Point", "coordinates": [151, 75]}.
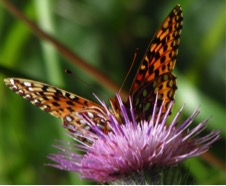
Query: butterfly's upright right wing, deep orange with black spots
{"type": "Point", "coordinates": [155, 72]}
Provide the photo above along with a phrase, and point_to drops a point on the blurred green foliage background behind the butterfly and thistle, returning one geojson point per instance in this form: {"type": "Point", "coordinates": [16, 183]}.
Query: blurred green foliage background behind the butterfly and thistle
{"type": "Point", "coordinates": [105, 34]}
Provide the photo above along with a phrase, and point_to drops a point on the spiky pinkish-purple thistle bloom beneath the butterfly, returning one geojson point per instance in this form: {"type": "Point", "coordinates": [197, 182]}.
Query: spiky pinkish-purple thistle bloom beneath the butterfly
{"type": "Point", "coordinates": [131, 147]}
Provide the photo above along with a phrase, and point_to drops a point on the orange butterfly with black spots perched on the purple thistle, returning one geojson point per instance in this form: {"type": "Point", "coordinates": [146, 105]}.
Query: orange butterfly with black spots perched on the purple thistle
{"type": "Point", "coordinates": [153, 76]}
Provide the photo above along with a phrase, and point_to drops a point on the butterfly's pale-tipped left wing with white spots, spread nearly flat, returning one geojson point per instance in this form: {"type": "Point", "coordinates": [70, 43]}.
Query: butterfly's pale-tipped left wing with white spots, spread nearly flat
{"type": "Point", "coordinates": [59, 103]}
